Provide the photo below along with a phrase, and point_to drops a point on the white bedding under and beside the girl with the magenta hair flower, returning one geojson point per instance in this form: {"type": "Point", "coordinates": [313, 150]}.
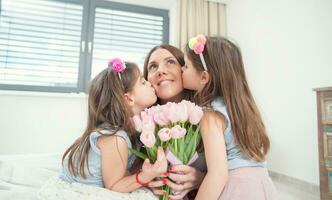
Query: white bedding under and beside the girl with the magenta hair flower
{"type": "Point", "coordinates": [34, 177]}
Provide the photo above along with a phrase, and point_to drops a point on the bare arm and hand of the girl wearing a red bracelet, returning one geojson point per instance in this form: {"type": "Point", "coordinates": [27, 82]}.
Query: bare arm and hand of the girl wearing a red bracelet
{"type": "Point", "coordinates": [114, 158]}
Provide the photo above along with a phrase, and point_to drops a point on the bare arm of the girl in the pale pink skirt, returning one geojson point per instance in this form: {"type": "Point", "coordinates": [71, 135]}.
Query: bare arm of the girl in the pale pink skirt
{"type": "Point", "coordinates": [212, 129]}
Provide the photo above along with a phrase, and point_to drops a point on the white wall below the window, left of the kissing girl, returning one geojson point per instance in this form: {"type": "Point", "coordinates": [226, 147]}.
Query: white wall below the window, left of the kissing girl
{"type": "Point", "coordinates": [32, 123]}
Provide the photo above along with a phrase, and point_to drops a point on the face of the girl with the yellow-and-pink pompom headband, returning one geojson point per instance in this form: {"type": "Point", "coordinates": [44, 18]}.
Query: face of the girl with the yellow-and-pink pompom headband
{"type": "Point", "coordinates": [191, 78]}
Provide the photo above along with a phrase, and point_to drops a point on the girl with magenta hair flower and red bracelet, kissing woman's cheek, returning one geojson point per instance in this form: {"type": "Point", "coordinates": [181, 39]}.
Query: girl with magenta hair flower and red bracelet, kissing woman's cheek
{"type": "Point", "coordinates": [100, 156]}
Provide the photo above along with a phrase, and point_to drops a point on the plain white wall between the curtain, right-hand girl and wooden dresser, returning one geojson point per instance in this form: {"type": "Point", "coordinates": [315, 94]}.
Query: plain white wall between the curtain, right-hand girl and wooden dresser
{"type": "Point", "coordinates": [287, 48]}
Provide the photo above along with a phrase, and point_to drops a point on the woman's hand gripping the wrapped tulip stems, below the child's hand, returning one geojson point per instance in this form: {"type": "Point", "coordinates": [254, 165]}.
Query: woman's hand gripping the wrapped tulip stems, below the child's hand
{"type": "Point", "coordinates": [184, 178]}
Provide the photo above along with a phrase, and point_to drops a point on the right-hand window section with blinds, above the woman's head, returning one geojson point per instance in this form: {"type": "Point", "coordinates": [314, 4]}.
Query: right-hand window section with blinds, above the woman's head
{"type": "Point", "coordinates": [119, 32]}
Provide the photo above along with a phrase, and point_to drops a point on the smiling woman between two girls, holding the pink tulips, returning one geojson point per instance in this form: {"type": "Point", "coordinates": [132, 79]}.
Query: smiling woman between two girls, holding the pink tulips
{"type": "Point", "coordinates": [162, 68]}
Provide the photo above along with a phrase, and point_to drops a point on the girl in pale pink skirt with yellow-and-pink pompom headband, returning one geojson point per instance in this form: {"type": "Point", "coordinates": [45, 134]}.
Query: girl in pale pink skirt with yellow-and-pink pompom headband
{"type": "Point", "coordinates": [233, 133]}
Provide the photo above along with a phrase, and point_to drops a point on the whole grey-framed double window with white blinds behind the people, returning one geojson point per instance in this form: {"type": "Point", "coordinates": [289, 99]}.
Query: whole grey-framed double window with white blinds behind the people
{"type": "Point", "coordinates": [57, 46]}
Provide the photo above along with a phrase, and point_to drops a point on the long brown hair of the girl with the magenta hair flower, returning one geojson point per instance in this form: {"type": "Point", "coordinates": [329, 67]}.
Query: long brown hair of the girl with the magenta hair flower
{"type": "Point", "coordinates": [106, 110]}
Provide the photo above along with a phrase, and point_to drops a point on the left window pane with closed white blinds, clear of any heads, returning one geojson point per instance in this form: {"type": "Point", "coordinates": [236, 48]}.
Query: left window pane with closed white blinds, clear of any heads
{"type": "Point", "coordinates": [40, 44]}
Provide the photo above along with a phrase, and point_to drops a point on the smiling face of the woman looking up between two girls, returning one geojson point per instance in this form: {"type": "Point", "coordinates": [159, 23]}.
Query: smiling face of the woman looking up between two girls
{"type": "Point", "coordinates": [164, 73]}
